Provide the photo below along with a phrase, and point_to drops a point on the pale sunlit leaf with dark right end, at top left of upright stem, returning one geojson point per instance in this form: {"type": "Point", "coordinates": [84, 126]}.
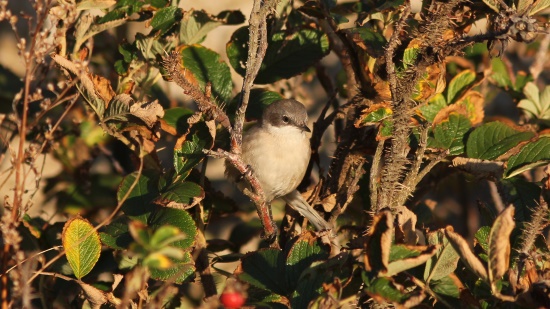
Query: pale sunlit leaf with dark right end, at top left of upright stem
{"type": "Point", "coordinates": [196, 24]}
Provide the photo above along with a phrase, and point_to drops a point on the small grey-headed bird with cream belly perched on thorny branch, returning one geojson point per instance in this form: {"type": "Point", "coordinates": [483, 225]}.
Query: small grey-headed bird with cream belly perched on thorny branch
{"type": "Point", "coordinates": [277, 150]}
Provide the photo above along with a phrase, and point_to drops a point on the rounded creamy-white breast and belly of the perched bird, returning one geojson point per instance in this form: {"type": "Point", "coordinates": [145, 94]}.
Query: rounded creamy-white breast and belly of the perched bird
{"type": "Point", "coordinates": [278, 156]}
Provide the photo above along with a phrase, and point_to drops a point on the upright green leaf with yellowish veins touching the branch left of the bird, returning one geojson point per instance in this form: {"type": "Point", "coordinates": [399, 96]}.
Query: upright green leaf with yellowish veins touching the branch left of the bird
{"type": "Point", "coordinates": [190, 153]}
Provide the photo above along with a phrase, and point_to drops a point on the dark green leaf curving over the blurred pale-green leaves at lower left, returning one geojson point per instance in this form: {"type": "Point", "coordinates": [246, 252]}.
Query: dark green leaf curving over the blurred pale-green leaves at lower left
{"type": "Point", "coordinates": [178, 218]}
